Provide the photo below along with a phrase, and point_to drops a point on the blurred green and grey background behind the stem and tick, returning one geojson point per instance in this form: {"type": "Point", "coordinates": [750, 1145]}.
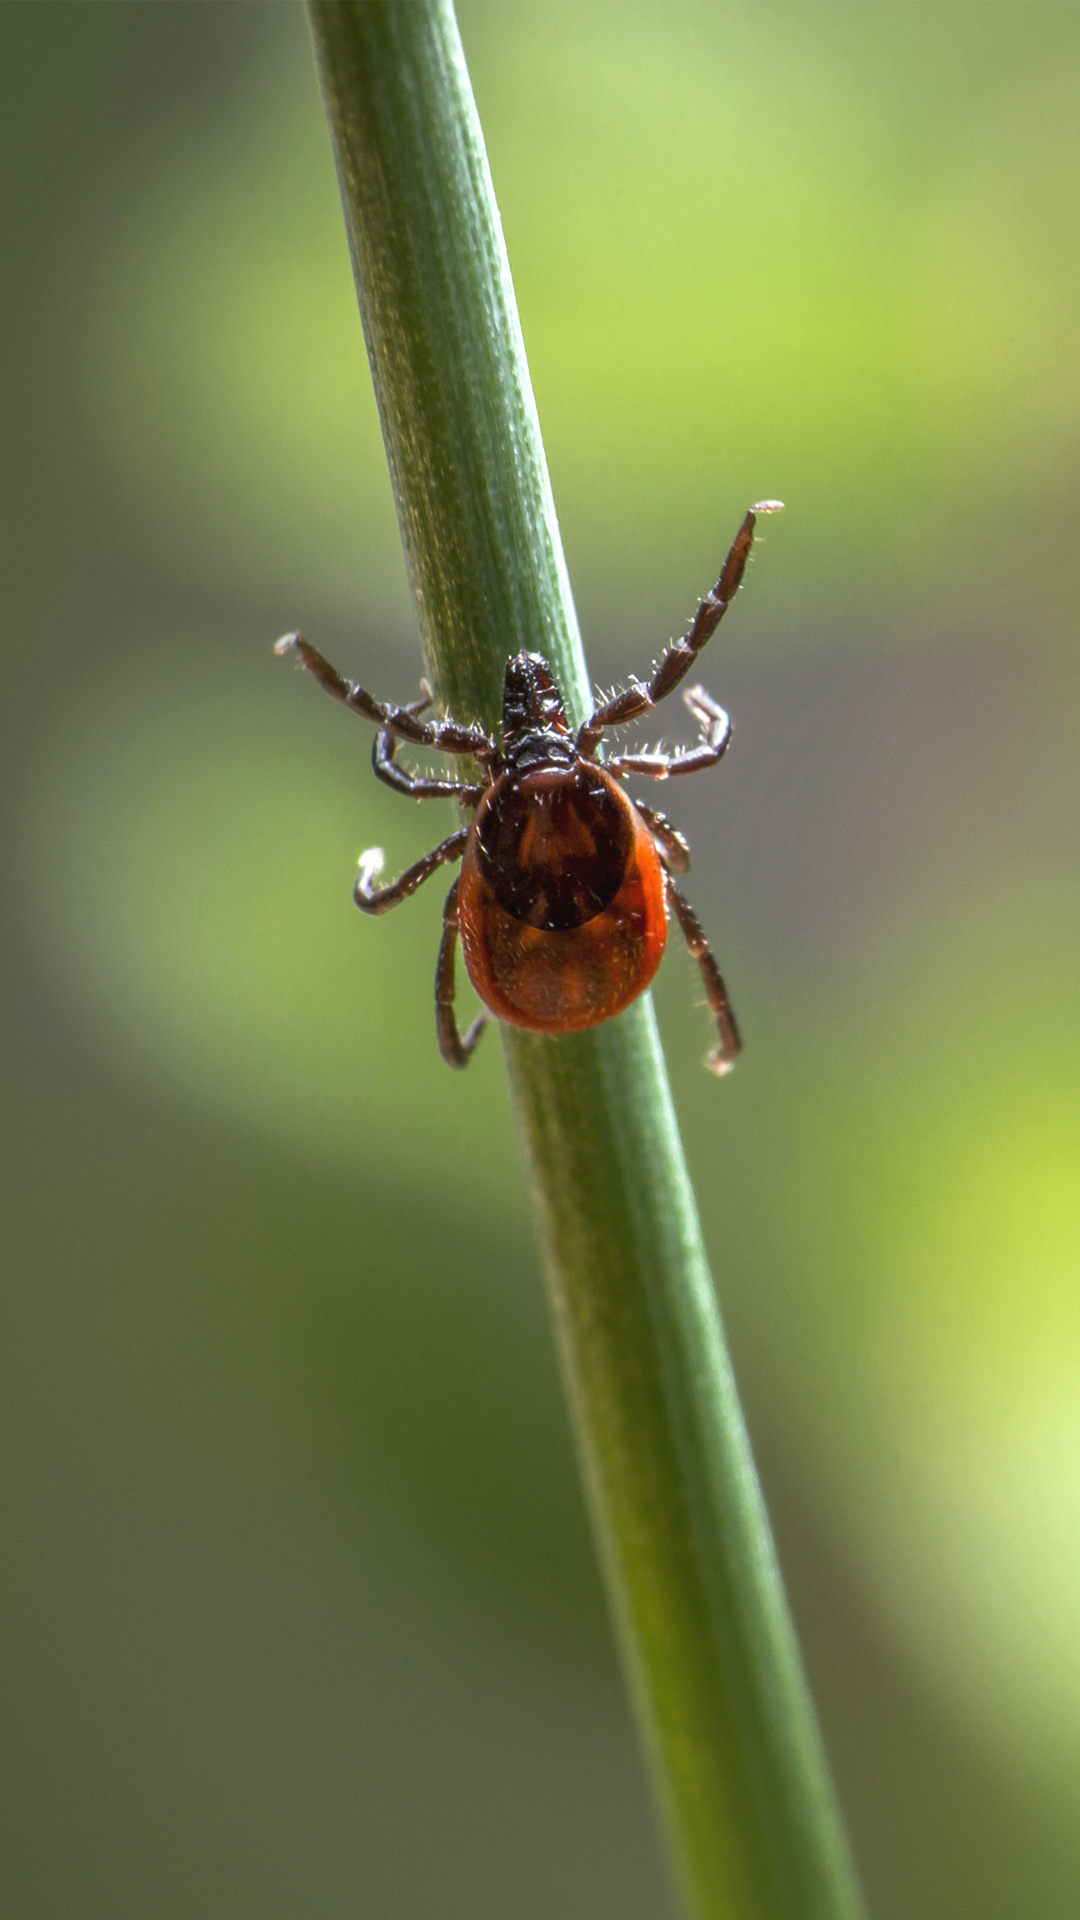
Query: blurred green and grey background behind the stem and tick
{"type": "Point", "coordinates": [301, 1608]}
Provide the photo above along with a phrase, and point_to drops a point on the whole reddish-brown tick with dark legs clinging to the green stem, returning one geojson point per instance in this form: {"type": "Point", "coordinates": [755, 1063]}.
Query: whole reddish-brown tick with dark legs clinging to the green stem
{"type": "Point", "coordinates": [566, 882]}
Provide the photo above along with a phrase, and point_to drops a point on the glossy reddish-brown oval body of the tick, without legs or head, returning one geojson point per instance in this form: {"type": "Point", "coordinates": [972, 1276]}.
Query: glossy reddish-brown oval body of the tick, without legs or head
{"type": "Point", "coordinates": [577, 823]}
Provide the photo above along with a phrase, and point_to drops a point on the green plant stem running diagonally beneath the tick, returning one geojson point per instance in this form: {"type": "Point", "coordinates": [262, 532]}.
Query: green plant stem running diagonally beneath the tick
{"type": "Point", "coordinates": [683, 1535]}
